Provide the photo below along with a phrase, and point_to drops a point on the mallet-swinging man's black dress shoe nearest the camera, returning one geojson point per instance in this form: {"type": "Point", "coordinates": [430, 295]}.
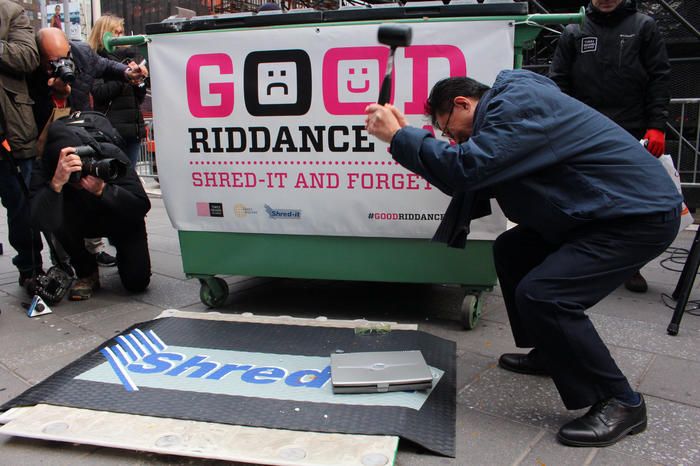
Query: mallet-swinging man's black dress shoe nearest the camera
{"type": "Point", "coordinates": [605, 423]}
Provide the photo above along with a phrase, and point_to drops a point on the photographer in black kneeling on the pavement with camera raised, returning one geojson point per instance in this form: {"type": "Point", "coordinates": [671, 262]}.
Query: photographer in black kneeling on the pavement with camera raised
{"type": "Point", "coordinates": [73, 204]}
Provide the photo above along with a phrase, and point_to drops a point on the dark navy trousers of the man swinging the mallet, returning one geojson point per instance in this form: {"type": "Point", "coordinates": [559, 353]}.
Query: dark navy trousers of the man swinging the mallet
{"type": "Point", "coordinates": [547, 287]}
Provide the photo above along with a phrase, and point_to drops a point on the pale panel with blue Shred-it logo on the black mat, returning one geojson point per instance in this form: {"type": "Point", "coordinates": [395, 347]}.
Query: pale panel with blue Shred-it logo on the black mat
{"type": "Point", "coordinates": [141, 360]}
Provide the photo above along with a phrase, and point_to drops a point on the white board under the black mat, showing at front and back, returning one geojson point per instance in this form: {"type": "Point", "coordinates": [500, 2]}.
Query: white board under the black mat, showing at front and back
{"type": "Point", "coordinates": [204, 439]}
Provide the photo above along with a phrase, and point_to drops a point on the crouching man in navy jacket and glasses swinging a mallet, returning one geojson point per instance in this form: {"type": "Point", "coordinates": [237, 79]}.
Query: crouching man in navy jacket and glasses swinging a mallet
{"type": "Point", "coordinates": [568, 177]}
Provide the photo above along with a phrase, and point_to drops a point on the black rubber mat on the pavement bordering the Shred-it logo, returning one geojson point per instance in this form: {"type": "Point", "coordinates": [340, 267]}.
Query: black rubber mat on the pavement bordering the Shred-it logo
{"type": "Point", "coordinates": [432, 426]}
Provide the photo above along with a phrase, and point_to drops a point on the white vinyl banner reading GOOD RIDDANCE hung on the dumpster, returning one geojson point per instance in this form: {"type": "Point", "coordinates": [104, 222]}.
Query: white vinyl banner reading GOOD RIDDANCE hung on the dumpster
{"type": "Point", "coordinates": [262, 130]}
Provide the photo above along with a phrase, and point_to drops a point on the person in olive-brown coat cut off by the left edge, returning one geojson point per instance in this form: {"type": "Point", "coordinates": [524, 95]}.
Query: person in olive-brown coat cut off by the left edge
{"type": "Point", "coordinates": [18, 58]}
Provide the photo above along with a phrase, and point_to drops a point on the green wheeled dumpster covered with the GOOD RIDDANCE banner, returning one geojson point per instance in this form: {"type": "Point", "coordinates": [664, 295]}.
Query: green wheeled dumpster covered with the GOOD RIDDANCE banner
{"type": "Point", "coordinates": [264, 164]}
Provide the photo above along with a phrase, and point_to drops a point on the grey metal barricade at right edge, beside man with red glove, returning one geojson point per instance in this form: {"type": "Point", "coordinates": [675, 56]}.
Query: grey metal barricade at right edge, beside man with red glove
{"type": "Point", "coordinates": [683, 138]}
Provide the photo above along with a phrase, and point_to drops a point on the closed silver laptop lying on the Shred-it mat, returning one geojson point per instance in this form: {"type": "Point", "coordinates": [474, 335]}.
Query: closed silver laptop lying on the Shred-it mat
{"type": "Point", "coordinates": [380, 371]}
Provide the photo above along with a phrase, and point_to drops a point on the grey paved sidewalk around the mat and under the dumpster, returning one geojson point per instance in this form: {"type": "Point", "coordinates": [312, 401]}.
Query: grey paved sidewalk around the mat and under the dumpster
{"type": "Point", "coordinates": [502, 418]}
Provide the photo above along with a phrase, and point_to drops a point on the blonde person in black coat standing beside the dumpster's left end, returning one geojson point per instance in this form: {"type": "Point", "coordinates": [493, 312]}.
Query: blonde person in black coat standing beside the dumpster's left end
{"type": "Point", "coordinates": [120, 102]}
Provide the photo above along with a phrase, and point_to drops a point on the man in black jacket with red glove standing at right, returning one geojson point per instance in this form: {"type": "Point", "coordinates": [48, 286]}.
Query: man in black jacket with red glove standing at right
{"type": "Point", "coordinates": [617, 63]}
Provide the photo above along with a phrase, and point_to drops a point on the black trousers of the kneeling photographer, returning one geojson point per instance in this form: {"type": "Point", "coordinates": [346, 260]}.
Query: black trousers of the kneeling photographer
{"type": "Point", "coordinates": [130, 241]}
